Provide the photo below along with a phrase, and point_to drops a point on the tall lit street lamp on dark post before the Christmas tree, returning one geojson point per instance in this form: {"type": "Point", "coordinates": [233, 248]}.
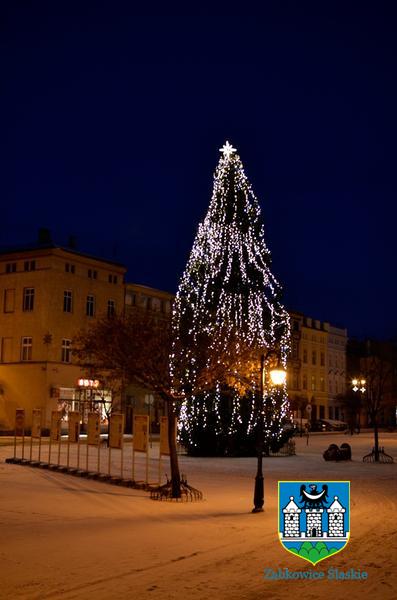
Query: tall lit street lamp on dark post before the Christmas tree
{"type": "Point", "coordinates": [277, 376]}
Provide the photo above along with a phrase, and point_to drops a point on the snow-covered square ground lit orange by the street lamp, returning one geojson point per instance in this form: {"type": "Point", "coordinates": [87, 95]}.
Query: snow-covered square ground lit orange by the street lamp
{"type": "Point", "coordinates": [70, 538]}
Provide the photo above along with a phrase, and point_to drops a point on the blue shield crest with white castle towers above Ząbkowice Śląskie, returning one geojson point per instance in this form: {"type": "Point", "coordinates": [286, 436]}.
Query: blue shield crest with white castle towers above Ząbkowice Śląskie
{"type": "Point", "coordinates": [314, 518]}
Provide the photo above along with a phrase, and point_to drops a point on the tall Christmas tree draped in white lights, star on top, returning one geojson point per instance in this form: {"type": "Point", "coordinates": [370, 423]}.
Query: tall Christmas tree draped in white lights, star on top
{"type": "Point", "coordinates": [227, 304]}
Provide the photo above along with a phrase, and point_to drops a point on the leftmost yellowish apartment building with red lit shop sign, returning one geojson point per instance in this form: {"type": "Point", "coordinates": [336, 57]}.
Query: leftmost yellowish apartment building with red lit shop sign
{"type": "Point", "coordinates": [48, 293]}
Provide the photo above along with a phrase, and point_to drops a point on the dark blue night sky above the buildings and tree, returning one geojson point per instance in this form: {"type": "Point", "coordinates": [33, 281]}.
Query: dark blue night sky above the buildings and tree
{"type": "Point", "coordinates": [111, 124]}
